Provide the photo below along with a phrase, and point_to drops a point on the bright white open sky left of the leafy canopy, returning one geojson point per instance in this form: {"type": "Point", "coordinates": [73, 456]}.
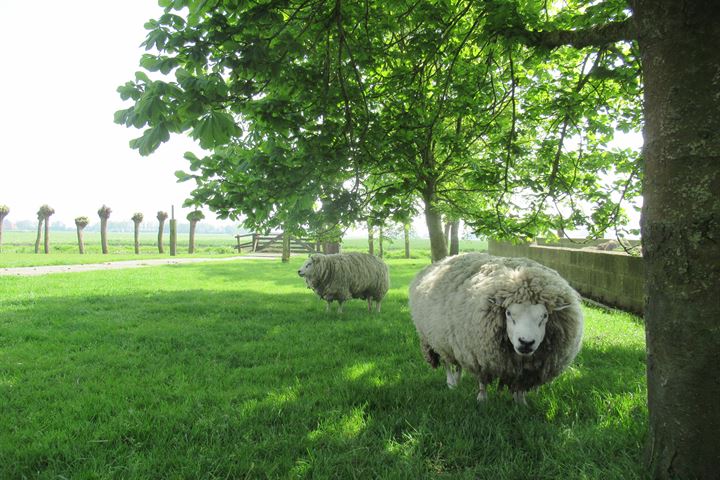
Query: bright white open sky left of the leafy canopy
{"type": "Point", "coordinates": [62, 62]}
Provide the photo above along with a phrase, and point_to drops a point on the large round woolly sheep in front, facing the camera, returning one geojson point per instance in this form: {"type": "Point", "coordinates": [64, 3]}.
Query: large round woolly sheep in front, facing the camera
{"type": "Point", "coordinates": [510, 319]}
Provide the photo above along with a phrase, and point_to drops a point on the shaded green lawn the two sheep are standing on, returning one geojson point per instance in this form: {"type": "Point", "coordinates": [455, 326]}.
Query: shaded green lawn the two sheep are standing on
{"type": "Point", "coordinates": [235, 370]}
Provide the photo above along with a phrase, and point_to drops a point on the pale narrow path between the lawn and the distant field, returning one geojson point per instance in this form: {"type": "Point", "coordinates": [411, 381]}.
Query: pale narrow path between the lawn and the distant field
{"type": "Point", "coordinates": [48, 269]}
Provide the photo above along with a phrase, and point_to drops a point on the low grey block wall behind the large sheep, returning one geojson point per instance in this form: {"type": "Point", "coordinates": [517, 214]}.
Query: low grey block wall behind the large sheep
{"type": "Point", "coordinates": [612, 278]}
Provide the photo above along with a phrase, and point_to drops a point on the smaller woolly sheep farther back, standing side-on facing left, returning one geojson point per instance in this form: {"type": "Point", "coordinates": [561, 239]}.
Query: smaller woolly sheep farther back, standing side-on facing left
{"type": "Point", "coordinates": [343, 276]}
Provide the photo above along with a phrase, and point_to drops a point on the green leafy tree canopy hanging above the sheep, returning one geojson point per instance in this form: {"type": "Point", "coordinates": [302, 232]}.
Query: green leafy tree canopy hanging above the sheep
{"type": "Point", "coordinates": [316, 113]}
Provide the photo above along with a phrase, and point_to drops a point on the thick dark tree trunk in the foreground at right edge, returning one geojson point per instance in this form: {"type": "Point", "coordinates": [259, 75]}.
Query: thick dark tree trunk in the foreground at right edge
{"type": "Point", "coordinates": [681, 233]}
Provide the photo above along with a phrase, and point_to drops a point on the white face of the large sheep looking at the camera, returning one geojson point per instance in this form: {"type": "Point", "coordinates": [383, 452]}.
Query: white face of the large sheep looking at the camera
{"type": "Point", "coordinates": [526, 326]}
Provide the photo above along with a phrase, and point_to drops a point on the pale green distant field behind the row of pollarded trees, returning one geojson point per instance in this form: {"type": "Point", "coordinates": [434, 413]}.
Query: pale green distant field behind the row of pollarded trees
{"type": "Point", "coordinates": [18, 248]}
